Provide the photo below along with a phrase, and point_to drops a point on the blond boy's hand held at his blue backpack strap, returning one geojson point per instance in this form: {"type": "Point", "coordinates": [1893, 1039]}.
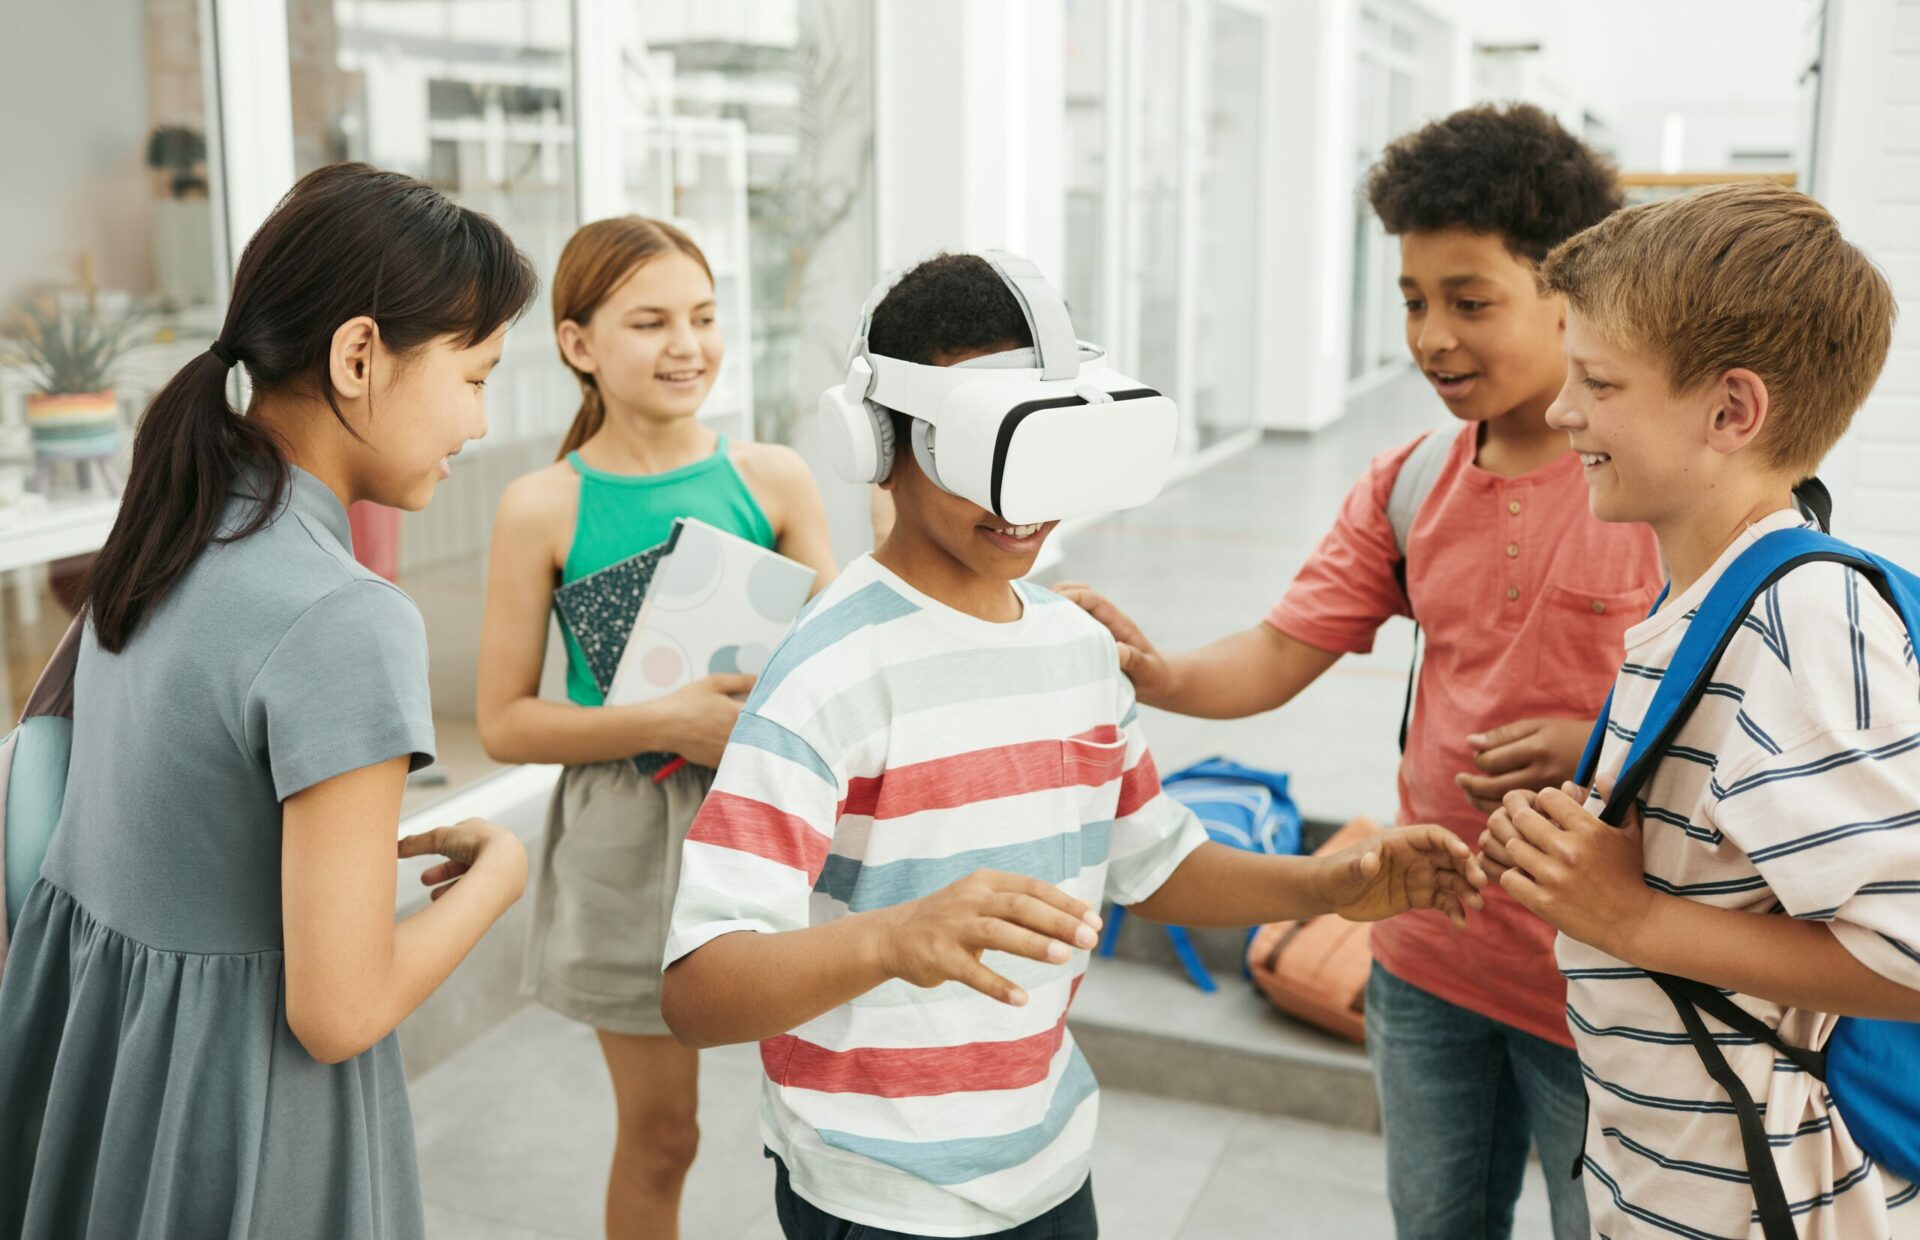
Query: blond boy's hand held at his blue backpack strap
{"type": "Point", "coordinates": [1581, 876]}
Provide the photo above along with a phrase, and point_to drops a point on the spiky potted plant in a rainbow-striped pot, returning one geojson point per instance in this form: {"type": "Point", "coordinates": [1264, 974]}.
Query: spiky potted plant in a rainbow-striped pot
{"type": "Point", "coordinates": [74, 345]}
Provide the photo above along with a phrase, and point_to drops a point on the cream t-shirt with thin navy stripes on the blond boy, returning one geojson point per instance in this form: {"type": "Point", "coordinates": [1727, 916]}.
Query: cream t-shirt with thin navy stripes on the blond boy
{"type": "Point", "coordinates": [1792, 790]}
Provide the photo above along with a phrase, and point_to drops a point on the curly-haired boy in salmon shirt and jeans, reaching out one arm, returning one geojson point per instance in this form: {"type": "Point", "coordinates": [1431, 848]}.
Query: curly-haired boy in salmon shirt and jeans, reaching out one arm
{"type": "Point", "coordinates": [1524, 600]}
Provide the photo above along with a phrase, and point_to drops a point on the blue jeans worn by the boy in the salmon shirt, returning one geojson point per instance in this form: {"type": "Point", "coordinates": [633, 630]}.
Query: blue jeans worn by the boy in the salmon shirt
{"type": "Point", "coordinates": [1462, 1097]}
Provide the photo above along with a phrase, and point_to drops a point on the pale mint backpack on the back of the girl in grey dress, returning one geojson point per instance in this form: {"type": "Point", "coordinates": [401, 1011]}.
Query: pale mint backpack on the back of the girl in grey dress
{"type": "Point", "coordinates": [34, 778]}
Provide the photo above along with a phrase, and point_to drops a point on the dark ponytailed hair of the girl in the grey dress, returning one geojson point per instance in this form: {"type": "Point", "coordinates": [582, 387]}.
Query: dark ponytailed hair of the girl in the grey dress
{"type": "Point", "coordinates": [347, 241]}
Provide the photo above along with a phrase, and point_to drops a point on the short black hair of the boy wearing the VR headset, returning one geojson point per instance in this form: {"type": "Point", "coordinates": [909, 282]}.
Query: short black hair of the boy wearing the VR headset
{"type": "Point", "coordinates": [951, 304]}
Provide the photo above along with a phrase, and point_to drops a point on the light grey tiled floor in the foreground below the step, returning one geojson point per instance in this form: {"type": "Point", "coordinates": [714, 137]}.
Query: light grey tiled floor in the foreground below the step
{"type": "Point", "coordinates": [516, 1135]}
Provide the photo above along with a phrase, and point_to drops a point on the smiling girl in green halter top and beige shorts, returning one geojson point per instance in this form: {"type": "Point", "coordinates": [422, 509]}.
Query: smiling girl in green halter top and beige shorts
{"type": "Point", "coordinates": [636, 323]}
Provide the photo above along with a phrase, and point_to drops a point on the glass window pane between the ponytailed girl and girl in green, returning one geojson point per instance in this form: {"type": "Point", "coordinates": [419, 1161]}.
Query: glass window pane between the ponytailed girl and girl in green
{"type": "Point", "coordinates": [473, 97]}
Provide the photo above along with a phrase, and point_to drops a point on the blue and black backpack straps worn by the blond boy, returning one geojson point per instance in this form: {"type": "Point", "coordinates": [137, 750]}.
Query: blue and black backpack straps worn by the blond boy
{"type": "Point", "coordinates": [1706, 642]}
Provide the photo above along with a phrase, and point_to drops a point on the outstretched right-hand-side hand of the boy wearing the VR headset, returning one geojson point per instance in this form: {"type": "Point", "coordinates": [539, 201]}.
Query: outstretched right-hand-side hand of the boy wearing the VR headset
{"type": "Point", "coordinates": [1401, 870]}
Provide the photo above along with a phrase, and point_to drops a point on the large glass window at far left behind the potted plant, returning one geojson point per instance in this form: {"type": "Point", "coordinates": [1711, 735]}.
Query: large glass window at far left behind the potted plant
{"type": "Point", "coordinates": [112, 231]}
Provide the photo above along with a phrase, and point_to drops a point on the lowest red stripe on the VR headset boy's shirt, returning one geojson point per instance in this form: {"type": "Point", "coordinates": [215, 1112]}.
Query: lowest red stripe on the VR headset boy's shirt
{"type": "Point", "coordinates": [915, 1072]}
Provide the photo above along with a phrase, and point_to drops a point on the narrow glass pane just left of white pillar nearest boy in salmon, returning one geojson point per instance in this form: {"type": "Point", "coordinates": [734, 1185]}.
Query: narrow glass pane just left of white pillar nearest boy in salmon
{"type": "Point", "coordinates": [1232, 210]}
